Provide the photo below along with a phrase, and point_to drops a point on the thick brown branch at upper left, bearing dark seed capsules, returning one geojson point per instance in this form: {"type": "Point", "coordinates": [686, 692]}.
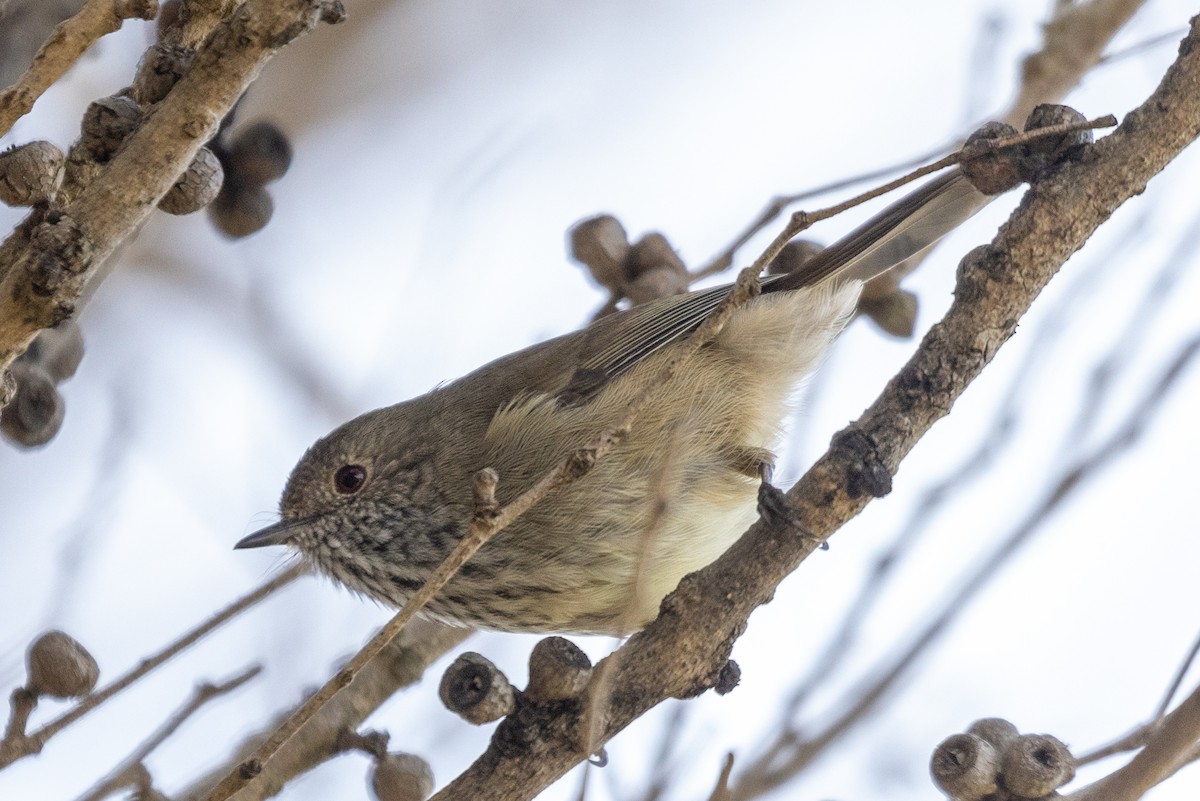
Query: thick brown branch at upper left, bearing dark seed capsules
{"type": "Point", "coordinates": [46, 264]}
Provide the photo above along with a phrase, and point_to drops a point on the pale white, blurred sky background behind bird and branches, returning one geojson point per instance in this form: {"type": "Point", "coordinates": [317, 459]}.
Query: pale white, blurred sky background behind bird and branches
{"type": "Point", "coordinates": [442, 150]}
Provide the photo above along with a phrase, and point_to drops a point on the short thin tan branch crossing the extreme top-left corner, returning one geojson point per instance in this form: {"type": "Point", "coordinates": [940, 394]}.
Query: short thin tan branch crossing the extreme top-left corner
{"type": "Point", "coordinates": [69, 41]}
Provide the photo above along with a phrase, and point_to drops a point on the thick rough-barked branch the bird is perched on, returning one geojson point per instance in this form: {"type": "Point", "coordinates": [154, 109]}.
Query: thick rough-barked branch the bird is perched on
{"type": "Point", "coordinates": [682, 653]}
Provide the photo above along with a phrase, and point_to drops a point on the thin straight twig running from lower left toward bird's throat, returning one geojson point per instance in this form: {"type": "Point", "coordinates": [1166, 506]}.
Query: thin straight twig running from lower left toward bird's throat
{"type": "Point", "coordinates": [14, 749]}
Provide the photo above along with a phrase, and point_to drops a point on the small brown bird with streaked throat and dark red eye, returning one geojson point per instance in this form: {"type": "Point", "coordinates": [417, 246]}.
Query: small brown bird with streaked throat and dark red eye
{"type": "Point", "coordinates": [383, 499]}
